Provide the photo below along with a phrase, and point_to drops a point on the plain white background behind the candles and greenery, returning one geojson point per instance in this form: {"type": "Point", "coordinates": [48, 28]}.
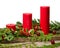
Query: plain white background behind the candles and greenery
{"type": "Point", "coordinates": [12, 10]}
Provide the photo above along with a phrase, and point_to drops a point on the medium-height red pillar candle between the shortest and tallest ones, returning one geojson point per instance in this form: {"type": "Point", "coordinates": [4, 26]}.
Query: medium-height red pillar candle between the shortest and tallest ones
{"type": "Point", "coordinates": [27, 21]}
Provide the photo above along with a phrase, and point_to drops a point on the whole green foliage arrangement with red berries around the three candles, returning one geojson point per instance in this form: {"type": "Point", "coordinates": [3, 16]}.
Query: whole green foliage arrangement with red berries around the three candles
{"type": "Point", "coordinates": [33, 35]}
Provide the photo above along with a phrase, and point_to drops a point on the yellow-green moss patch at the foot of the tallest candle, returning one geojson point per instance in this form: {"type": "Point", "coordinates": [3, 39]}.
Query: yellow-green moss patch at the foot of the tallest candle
{"type": "Point", "coordinates": [42, 37]}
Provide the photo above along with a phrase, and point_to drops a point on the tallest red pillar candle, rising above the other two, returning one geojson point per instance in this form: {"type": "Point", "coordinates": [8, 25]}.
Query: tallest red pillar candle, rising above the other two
{"type": "Point", "coordinates": [44, 19]}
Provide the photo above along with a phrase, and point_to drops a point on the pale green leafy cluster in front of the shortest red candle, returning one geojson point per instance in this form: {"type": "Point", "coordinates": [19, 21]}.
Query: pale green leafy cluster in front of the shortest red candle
{"type": "Point", "coordinates": [7, 34]}
